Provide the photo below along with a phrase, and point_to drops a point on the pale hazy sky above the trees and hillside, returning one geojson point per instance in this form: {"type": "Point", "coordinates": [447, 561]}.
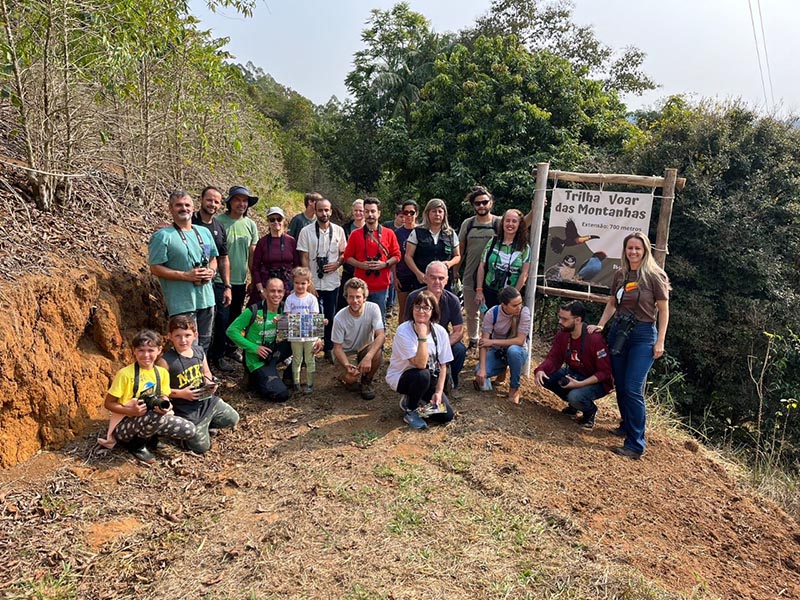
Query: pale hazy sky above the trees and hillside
{"type": "Point", "coordinates": [701, 48]}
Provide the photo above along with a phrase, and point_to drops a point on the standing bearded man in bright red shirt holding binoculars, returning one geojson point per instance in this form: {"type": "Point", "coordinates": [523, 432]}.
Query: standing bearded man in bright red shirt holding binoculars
{"type": "Point", "coordinates": [373, 251]}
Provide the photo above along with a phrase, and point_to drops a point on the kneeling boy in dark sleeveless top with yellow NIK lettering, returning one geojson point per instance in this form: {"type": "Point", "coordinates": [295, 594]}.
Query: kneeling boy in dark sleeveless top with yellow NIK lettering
{"type": "Point", "coordinates": [193, 388]}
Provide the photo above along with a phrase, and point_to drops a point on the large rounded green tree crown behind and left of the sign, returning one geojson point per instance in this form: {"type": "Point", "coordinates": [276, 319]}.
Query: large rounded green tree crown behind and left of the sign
{"type": "Point", "coordinates": [491, 112]}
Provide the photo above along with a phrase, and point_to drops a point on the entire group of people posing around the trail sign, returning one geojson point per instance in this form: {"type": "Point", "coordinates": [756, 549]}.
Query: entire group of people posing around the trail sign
{"type": "Point", "coordinates": [310, 265]}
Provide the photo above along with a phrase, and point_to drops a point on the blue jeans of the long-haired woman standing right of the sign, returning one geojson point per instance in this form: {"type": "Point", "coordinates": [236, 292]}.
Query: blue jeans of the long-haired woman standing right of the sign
{"type": "Point", "coordinates": [630, 375]}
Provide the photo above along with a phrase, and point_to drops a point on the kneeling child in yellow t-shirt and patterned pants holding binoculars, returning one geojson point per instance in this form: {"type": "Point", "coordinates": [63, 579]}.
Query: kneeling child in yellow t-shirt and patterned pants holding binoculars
{"type": "Point", "coordinates": [134, 387]}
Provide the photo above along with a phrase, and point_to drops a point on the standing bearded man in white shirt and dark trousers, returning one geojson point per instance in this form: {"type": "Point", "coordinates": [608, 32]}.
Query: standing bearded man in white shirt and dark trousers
{"type": "Point", "coordinates": [321, 246]}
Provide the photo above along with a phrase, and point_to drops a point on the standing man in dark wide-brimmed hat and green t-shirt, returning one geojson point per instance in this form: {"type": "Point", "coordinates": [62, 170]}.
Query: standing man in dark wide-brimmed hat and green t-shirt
{"type": "Point", "coordinates": [242, 235]}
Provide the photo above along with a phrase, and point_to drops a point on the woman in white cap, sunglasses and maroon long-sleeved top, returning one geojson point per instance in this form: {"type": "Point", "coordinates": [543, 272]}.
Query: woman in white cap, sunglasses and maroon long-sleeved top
{"type": "Point", "coordinates": [275, 256]}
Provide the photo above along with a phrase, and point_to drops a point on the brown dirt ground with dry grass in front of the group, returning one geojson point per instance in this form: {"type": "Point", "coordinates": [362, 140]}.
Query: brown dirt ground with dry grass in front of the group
{"type": "Point", "coordinates": [333, 497]}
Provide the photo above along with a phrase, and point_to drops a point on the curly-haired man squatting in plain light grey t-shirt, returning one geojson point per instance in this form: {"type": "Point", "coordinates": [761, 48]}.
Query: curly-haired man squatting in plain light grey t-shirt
{"type": "Point", "coordinates": [358, 333]}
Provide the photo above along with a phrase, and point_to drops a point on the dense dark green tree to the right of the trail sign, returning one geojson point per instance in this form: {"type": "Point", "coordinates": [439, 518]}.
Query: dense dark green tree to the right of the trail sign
{"type": "Point", "coordinates": [734, 249]}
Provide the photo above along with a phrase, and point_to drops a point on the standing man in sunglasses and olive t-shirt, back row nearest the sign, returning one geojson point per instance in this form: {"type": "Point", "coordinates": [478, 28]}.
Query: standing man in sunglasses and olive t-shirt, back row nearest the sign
{"type": "Point", "coordinates": [472, 237]}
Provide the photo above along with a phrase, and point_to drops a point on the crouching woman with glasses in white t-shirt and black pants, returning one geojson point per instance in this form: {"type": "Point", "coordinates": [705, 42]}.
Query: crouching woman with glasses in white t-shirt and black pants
{"type": "Point", "coordinates": [418, 366]}
